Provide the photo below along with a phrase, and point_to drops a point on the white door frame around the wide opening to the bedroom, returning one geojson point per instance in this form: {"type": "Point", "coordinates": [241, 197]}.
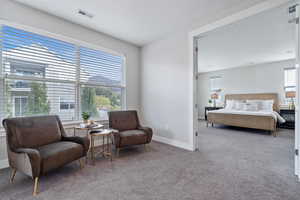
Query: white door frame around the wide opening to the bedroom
{"type": "Point", "coordinates": [193, 58]}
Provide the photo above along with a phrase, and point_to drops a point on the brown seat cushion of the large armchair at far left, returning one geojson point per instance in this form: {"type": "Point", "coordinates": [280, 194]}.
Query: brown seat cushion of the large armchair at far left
{"type": "Point", "coordinates": [58, 154]}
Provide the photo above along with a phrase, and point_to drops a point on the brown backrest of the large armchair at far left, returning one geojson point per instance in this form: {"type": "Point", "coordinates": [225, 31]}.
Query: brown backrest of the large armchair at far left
{"type": "Point", "coordinates": [32, 132]}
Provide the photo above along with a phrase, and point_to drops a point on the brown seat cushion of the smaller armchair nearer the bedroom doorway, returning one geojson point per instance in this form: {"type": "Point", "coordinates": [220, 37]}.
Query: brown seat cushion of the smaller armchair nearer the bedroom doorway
{"type": "Point", "coordinates": [133, 137]}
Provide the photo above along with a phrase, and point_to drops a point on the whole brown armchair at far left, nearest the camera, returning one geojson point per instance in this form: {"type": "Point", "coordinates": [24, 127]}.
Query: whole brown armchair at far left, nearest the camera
{"type": "Point", "coordinates": [37, 145]}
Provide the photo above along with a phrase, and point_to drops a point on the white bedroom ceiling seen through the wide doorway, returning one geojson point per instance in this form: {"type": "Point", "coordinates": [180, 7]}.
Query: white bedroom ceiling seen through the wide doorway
{"type": "Point", "coordinates": [264, 38]}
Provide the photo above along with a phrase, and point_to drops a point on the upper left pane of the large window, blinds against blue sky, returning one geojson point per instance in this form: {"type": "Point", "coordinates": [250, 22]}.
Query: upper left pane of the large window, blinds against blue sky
{"type": "Point", "coordinates": [46, 57]}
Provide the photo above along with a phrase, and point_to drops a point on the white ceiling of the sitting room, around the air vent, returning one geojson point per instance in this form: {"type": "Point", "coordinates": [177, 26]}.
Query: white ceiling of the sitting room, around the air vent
{"type": "Point", "coordinates": [139, 21]}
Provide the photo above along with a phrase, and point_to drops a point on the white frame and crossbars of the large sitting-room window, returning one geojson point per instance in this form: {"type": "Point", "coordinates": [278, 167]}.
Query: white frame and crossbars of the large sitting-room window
{"type": "Point", "coordinates": [78, 44]}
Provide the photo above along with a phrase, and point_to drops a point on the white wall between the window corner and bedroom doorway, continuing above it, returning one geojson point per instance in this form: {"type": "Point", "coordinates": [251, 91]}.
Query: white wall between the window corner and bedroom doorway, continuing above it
{"type": "Point", "coordinates": [167, 81]}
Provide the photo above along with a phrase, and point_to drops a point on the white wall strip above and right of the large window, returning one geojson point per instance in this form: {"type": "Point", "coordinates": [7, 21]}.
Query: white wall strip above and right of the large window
{"type": "Point", "coordinates": [20, 14]}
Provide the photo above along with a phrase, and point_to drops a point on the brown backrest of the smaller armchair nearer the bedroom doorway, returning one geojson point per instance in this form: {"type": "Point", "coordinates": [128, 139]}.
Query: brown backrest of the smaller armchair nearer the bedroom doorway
{"type": "Point", "coordinates": [123, 120]}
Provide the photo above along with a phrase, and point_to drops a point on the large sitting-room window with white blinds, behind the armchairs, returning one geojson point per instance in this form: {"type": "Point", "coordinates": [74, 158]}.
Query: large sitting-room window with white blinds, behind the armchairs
{"type": "Point", "coordinates": [42, 75]}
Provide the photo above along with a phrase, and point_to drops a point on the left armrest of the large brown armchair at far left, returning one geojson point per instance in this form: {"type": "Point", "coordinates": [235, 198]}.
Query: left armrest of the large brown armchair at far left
{"type": "Point", "coordinates": [20, 161]}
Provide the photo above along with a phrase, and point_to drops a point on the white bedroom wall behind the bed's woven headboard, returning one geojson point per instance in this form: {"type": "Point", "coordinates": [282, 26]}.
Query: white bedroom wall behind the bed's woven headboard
{"type": "Point", "coordinates": [262, 78]}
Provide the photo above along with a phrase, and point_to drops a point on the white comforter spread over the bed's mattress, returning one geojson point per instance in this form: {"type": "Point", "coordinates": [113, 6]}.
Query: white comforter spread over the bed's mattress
{"type": "Point", "coordinates": [273, 114]}
